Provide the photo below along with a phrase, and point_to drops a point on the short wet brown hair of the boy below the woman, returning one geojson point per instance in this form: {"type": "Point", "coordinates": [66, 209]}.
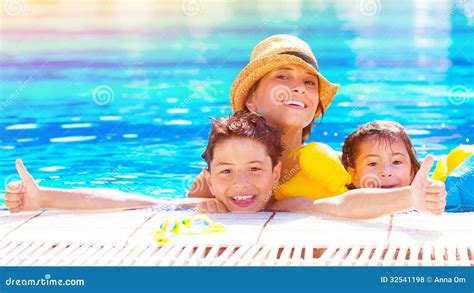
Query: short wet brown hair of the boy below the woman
{"type": "Point", "coordinates": [244, 124]}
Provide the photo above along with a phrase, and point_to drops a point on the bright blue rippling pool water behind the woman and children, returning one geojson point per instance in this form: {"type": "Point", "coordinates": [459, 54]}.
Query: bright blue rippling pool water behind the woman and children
{"type": "Point", "coordinates": [119, 95]}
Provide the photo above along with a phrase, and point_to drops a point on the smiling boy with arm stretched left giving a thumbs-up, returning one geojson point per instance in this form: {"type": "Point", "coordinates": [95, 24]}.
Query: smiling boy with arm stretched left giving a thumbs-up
{"type": "Point", "coordinates": [243, 170]}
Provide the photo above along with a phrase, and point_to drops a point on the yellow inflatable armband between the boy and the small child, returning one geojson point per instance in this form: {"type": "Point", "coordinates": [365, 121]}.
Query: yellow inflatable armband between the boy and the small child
{"type": "Point", "coordinates": [322, 174]}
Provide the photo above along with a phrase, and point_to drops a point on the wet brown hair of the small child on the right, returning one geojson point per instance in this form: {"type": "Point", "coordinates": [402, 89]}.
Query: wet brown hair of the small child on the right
{"type": "Point", "coordinates": [381, 131]}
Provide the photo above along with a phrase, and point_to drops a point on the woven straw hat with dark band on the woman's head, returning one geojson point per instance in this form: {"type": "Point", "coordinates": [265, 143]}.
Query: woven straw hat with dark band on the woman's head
{"type": "Point", "coordinates": [274, 52]}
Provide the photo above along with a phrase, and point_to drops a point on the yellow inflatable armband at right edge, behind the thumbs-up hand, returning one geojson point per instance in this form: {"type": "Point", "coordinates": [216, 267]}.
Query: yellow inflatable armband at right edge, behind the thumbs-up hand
{"type": "Point", "coordinates": [449, 162]}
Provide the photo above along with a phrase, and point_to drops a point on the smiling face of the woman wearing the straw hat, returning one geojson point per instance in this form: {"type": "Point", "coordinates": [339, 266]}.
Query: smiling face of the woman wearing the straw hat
{"type": "Point", "coordinates": [286, 97]}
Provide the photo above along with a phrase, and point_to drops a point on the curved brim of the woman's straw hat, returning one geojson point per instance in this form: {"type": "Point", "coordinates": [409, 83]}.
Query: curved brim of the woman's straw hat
{"type": "Point", "coordinates": [256, 69]}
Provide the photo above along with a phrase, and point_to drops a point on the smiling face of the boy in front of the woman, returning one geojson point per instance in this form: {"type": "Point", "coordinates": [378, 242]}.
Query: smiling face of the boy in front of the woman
{"type": "Point", "coordinates": [241, 175]}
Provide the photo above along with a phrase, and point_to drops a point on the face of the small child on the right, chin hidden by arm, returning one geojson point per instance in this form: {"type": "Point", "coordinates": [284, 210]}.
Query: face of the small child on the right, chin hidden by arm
{"type": "Point", "coordinates": [382, 164]}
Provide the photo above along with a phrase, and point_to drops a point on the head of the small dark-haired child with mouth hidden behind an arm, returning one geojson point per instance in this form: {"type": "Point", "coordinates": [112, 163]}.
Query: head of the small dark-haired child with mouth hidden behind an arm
{"type": "Point", "coordinates": [379, 154]}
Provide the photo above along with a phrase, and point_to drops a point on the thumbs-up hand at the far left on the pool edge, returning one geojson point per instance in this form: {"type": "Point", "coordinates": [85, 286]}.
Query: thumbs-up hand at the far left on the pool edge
{"type": "Point", "coordinates": [23, 195]}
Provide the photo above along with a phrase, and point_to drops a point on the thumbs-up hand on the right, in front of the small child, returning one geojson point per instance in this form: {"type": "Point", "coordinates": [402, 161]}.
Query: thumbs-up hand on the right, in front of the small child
{"type": "Point", "coordinates": [428, 195]}
